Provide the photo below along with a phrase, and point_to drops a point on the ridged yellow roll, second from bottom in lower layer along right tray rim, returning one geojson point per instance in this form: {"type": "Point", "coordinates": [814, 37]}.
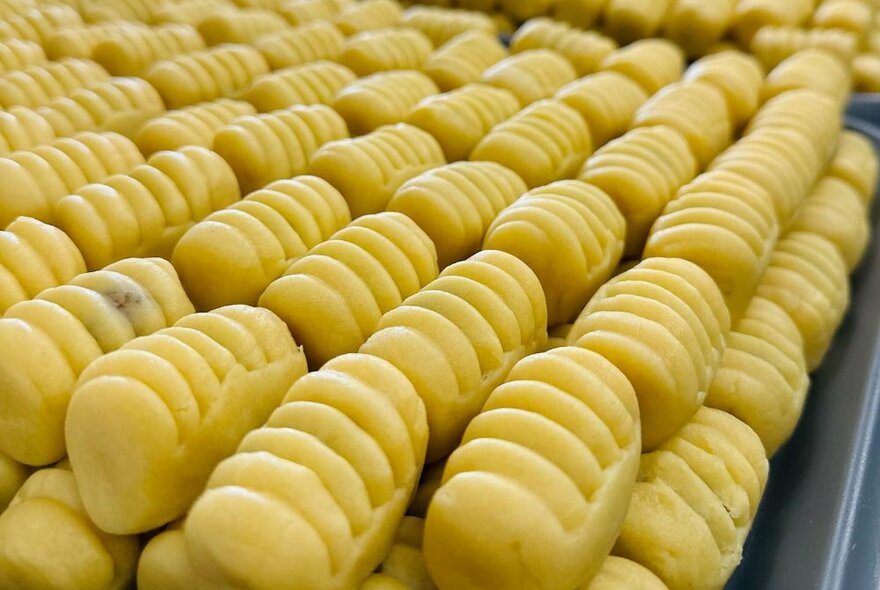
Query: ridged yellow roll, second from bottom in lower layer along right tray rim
{"type": "Point", "coordinates": [762, 379]}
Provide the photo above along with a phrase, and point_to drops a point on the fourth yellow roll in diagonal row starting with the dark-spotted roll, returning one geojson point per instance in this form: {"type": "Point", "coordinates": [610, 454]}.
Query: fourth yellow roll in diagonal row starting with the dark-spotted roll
{"type": "Point", "coordinates": [459, 119]}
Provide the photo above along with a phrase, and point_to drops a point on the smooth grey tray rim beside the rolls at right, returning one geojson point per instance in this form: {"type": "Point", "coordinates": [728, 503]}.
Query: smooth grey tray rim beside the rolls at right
{"type": "Point", "coordinates": [818, 526]}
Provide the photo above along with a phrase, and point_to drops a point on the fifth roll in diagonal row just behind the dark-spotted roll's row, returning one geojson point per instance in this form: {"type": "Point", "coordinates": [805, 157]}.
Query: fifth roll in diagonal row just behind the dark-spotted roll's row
{"type": "Point", "coordinates": [463, 59]}
